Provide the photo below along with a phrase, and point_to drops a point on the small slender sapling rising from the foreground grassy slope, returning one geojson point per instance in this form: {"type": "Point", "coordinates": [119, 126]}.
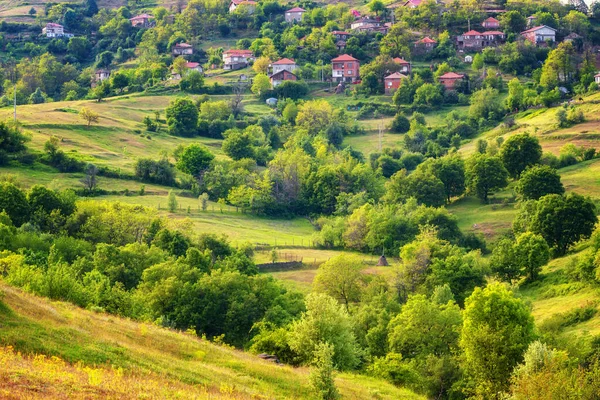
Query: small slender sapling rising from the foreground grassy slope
{"type": "Point", "coordinates": [321, 375]}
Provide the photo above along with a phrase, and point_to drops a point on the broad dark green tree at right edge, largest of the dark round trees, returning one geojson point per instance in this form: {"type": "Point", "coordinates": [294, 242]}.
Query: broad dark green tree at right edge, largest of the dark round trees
{"type": "Point", "coordinates": [561, 220]}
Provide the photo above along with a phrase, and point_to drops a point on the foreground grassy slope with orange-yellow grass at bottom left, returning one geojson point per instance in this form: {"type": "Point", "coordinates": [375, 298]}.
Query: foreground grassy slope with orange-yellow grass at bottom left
{"type": "Point", "coordinates": [91, 355]}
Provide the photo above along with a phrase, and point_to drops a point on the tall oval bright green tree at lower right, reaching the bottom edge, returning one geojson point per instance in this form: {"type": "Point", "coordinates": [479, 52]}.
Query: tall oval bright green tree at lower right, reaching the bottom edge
{"type": "Point", "coordinates": [497, 329]}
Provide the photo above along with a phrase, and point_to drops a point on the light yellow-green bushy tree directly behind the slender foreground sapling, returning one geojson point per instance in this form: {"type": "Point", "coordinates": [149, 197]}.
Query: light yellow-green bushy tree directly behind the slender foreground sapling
{"type": "Point", "coordinates": [325, 321]}
